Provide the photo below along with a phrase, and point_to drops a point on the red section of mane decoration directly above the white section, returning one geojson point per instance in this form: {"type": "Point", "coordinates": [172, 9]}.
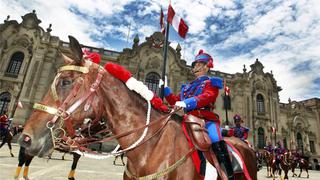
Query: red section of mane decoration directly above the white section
{"type": "Point", "coordinates": [118, 71]}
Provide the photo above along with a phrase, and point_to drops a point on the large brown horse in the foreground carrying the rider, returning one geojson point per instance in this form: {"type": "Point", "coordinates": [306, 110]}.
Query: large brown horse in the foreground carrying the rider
{"type": "Point", "coordinates": [164, 152]}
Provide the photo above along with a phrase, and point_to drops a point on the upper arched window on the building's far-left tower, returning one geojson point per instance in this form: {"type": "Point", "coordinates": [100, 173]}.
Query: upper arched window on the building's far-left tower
{"type": "Point", "coordinates": [15, 64]}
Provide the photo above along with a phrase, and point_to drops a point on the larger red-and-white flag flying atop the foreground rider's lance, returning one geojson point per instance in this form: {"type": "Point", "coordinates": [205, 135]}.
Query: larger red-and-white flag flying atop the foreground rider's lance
{"type": "Point", "coordinates": [178, 23]}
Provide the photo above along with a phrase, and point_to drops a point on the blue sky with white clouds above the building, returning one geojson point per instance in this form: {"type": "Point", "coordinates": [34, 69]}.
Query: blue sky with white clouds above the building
{"type": "Point", "coordinates": [283, 34]}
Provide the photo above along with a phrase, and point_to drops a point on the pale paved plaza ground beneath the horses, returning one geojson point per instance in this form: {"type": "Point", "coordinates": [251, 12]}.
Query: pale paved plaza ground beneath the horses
{"type": "Point", "coordinates": [88, 169]}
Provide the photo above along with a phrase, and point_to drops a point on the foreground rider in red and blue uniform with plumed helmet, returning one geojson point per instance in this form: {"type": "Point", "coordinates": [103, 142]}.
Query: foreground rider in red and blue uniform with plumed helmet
{"type": "Point", "coordinates": [198, 99]}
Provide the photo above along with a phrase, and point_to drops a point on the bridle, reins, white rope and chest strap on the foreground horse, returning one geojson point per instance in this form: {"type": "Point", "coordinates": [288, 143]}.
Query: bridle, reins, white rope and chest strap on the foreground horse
{"type": "Point", "coordinates": [66, 138]}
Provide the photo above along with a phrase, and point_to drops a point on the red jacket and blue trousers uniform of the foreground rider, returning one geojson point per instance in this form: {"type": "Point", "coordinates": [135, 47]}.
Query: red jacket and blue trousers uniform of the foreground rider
{"type": "Point", "coordinates": [200, 96]}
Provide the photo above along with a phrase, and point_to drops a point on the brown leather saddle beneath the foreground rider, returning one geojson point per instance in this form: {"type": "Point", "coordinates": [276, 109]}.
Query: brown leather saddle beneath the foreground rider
{"type": "Point", "coordinates": [198, 133]}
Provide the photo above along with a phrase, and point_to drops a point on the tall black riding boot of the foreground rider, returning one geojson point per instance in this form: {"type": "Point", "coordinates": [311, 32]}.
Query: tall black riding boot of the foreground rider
{"type": "Point", "coordinates": [220, 150]}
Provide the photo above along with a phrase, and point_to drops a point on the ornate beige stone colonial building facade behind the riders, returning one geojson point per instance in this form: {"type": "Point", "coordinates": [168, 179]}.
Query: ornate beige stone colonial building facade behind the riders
{"type": "Point", "coordinates": [29, 59]}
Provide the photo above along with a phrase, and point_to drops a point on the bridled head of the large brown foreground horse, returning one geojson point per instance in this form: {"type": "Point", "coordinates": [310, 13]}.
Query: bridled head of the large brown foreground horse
{"type": "Point", "coordinates": [64, 107]}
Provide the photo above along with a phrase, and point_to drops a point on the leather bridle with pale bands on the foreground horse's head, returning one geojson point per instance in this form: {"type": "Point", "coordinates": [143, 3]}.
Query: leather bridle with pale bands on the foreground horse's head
{"type": "Point", "coordinates": [64, 111]}
